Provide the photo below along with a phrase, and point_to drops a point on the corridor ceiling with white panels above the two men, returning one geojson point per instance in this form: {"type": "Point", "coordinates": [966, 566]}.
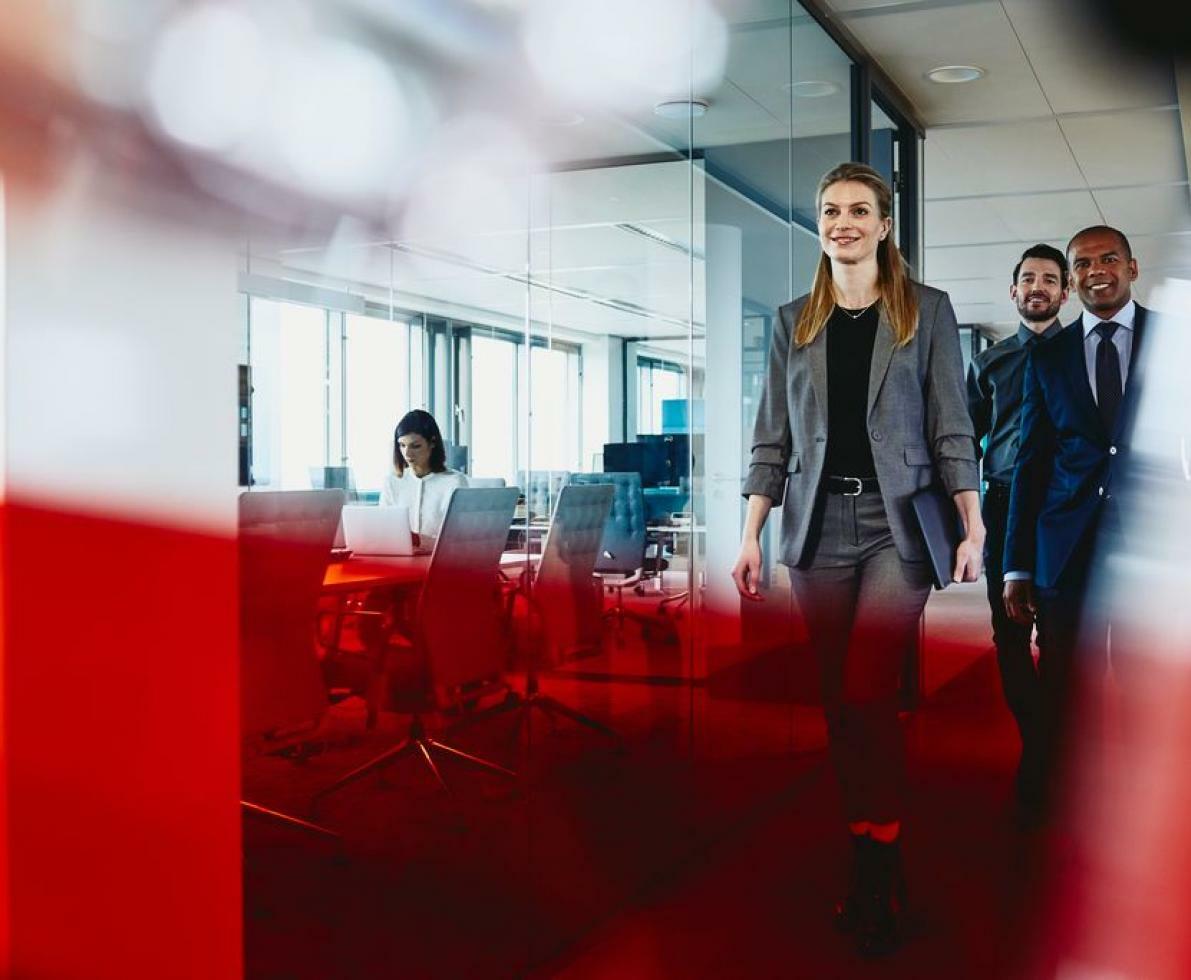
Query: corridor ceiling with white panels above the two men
{"type": "Point", "coordinates": [1064, 132]}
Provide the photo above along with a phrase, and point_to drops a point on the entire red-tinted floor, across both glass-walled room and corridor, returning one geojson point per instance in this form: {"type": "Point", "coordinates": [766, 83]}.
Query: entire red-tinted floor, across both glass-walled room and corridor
{"type": "Point", "coordinates": [644, 865]}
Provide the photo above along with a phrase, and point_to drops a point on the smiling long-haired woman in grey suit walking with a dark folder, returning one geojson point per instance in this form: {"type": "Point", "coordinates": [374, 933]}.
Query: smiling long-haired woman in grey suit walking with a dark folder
{"type": "Point", "coordinates": [864, 404]}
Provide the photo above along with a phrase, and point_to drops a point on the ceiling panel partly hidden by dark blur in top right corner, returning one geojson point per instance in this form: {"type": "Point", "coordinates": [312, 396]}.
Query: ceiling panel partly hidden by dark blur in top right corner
{"type": "Point", "coordinates": [1077, 66]}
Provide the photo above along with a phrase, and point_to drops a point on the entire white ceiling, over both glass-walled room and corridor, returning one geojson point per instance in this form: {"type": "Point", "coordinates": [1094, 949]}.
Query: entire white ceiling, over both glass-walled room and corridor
{"type": "Point", "coordinates": [1061, 134]}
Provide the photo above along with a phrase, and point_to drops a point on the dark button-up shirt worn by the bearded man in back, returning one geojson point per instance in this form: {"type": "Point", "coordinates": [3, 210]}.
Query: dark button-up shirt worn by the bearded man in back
{"type": "Point", "coordinates": [995, 398]}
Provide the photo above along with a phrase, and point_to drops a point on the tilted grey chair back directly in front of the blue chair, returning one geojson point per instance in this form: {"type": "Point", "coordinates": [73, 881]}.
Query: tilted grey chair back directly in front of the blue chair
{"type": "Point", "coordinates": [565, 592]}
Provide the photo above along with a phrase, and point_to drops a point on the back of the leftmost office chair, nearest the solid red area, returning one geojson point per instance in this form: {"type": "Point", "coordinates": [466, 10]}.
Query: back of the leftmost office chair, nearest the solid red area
{"type": "Point", "coordinates": [285, 545]}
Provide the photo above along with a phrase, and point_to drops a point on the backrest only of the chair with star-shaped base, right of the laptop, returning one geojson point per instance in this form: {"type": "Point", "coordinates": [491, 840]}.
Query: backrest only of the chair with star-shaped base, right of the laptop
{"type": "Point", "coordinates": [460, 613]}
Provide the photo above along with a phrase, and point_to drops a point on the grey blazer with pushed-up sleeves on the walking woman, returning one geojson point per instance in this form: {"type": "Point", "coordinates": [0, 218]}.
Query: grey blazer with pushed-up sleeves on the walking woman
{"type": "Point", "coordinates": [919, 423]}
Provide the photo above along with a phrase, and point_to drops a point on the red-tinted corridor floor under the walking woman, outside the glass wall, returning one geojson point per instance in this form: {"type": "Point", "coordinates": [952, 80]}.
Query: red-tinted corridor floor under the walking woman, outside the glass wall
{"type": "Point", "coordinates": [758, 906]}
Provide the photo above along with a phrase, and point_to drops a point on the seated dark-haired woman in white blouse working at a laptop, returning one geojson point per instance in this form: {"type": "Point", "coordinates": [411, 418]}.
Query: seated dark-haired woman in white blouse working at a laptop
{"type": "Point", "coordinates": [421, 480]}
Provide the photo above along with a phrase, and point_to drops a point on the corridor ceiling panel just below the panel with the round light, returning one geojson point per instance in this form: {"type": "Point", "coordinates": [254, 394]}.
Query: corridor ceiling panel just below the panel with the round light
{"type": "Point", "coordinates": [999, 154]}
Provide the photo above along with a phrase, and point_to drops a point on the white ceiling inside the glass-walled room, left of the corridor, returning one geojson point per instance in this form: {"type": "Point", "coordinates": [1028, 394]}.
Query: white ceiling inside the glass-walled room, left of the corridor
{"type": "Point", "coordinates": [609, 242]}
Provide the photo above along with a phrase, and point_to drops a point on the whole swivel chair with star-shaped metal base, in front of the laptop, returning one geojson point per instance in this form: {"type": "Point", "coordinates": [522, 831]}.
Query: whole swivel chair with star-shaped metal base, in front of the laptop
{"type": "Point", "coordinates": [457, 652]}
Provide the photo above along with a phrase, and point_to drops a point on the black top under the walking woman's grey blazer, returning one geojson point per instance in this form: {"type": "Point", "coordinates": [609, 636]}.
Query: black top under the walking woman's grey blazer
{"type": "Point", "coordinates": [850, 358]}
